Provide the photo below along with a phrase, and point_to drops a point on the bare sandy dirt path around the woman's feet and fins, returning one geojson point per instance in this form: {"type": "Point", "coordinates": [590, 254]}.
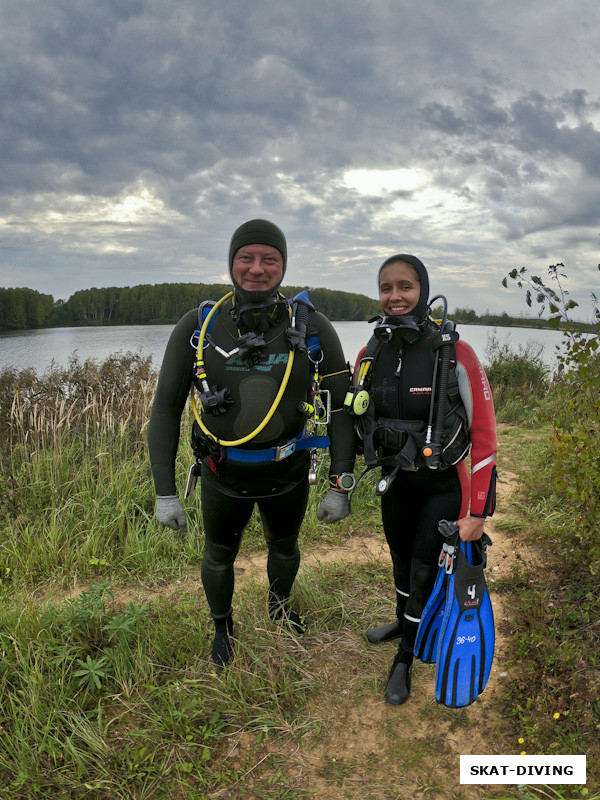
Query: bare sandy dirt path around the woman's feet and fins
{"type": "Point", "coordinates": [389, 737]}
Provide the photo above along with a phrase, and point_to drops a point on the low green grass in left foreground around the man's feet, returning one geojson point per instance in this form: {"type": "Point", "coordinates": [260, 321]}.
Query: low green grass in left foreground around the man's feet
{"type": "Point", "coordinates": [100, 696]}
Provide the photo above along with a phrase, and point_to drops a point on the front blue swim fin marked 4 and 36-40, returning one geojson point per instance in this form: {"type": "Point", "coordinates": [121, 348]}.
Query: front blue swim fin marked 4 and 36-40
{"type": "Point", "coordinates": [466, 637]}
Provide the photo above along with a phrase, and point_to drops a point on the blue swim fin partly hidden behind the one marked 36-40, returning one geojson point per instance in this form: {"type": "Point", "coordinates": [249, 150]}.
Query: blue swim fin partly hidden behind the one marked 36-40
{"type": "Point", "coordinates": [427, 640]}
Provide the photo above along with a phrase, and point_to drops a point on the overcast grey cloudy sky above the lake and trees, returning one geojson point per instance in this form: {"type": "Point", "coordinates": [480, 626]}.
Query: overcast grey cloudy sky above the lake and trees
{"type": "Point", "coordinates": [136, 135]}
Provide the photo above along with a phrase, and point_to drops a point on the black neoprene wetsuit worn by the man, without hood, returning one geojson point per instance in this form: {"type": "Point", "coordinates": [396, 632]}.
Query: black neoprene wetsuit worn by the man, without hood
{"type": "Point", "coordinates": [231, 488]}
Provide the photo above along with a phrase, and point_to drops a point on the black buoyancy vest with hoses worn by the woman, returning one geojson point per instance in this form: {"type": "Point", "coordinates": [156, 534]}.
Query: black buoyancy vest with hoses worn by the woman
{"type": "Point", "coordinates": [409, 444]}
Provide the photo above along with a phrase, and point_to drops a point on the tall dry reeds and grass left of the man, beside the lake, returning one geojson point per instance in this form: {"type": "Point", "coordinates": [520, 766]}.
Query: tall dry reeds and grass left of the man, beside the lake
{"type": "Point", "coordinates": [75, 477]}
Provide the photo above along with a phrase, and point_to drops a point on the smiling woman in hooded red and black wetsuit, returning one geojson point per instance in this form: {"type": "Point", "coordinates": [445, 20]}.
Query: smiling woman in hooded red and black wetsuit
{"type": "Point", "coordinates": [400, 388]}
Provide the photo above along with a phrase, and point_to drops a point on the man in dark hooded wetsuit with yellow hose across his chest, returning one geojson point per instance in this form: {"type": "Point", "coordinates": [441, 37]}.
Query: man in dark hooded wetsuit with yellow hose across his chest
{"type": "Point", "coordinates": [255, 324]}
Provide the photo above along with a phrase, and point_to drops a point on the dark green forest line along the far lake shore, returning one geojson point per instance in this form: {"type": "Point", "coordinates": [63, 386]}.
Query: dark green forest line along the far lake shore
{"type": "Point", "coordinates": [163, 304]}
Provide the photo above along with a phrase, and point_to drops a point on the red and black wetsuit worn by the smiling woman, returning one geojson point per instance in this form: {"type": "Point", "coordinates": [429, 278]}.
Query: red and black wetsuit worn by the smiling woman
{"type": "Point", "coordinates": [417, 500]}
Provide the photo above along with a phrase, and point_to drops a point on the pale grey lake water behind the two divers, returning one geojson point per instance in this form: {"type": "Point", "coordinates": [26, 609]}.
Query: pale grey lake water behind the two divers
{"type": "Point", "coordinates": [39, 348]}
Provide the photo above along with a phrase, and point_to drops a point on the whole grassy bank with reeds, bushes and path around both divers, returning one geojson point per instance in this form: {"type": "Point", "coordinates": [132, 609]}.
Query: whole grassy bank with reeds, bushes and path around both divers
{"type": "Point", "coordinates": [107, 691]}
